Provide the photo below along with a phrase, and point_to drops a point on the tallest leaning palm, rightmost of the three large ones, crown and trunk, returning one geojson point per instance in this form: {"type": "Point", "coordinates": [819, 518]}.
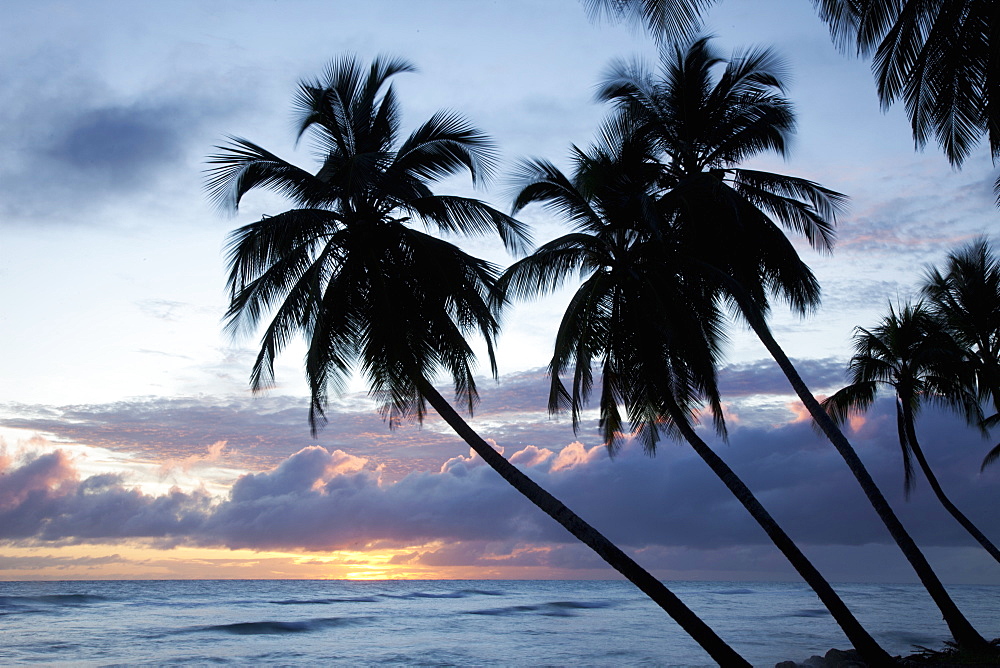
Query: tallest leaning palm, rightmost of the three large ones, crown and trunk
{"type": "Point", "coordinates": [731, 218]}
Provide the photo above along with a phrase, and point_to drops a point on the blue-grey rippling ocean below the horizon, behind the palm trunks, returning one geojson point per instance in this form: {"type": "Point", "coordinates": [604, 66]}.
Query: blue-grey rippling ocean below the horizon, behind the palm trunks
{"type": "Point", "coordinates": [447, 622]}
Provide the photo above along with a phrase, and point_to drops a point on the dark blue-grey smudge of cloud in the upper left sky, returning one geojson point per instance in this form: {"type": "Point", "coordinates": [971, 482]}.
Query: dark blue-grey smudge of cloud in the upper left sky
{"type": "Point", "coordinates": [74, 142]}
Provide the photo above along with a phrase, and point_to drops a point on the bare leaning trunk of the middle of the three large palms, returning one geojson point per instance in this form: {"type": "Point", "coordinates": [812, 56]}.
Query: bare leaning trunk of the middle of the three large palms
{"type": "Point", "coordinates": [870, 650]}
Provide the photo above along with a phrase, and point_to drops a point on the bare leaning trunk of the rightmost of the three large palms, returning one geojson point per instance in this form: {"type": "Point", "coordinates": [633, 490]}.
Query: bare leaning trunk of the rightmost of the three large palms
{"type": "Point", "coordinates": [962, 631]}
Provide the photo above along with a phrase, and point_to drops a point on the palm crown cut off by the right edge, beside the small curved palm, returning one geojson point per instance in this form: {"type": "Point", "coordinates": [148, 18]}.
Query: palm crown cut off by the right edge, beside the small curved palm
{"type": "Point", "coordinates": [966, 298]}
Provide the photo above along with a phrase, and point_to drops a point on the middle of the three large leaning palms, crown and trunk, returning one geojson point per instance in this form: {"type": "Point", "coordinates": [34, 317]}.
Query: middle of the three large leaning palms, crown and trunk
{"type": "Point", "coordinates": [653, 329]}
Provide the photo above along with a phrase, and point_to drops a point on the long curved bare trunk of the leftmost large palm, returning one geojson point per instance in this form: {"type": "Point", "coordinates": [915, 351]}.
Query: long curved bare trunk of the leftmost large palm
{"type": "Point", "coordinates": [691, 623]}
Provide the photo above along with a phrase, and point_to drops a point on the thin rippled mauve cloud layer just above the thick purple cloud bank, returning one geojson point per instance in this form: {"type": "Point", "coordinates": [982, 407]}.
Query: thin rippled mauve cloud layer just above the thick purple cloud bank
{"type": "Point", "coordinates": [261, 432]}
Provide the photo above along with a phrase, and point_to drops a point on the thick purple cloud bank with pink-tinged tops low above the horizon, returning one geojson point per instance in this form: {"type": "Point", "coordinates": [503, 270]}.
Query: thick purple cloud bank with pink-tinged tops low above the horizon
{"type": "Point", "coordinates": [320, 499]}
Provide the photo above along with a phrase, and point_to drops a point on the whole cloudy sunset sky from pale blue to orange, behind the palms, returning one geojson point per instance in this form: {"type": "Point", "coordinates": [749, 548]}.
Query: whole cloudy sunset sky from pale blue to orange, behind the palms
{"type": "Point", "coordinates": [131, 444]}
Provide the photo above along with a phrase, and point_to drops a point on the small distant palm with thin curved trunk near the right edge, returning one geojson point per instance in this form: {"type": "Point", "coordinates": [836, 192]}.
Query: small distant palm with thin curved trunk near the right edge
{"type": "Point", "coordinates": [910, 353]}
